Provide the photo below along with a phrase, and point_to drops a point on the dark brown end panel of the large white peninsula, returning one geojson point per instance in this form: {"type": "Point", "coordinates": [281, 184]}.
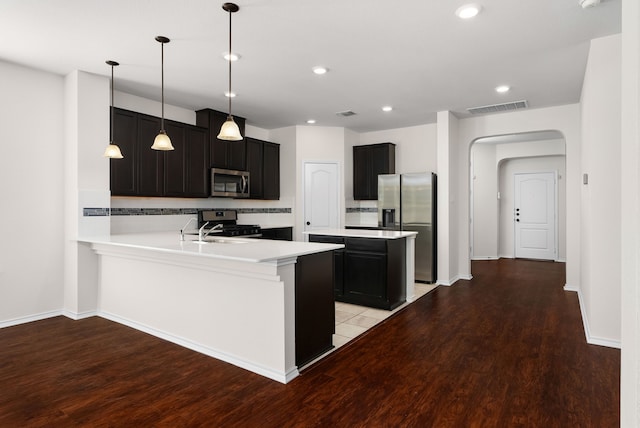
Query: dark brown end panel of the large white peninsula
{"type": "Point", "coordinates": [315, 309]}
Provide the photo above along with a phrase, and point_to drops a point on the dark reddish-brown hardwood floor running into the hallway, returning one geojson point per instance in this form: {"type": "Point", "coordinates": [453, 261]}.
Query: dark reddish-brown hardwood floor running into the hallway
{"type": "Point", "coordinates": [505, 349]}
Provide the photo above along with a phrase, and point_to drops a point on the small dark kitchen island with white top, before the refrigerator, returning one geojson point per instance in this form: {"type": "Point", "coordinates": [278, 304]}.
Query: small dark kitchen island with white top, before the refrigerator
{"type": "Point", "coordinates": [376, 267]}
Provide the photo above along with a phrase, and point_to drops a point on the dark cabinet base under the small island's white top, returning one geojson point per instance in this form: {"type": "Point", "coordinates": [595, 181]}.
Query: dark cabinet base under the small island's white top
{"type": "Point", "coordinates": [369, 271]}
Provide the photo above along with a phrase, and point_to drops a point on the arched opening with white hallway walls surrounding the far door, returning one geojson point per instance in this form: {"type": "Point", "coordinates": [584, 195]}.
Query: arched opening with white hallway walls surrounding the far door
{"type": "Point", "coordinates": [493, 162]}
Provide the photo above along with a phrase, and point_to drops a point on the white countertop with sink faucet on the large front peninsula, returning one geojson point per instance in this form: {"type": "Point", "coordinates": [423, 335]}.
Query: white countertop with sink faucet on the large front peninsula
{"type": "Point", "coordinates": [239, 249]}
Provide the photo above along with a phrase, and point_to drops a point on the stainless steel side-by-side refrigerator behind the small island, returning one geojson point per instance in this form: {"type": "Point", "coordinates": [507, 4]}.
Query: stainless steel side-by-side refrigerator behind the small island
{"type": "Point", "coordinates": [408, 202]}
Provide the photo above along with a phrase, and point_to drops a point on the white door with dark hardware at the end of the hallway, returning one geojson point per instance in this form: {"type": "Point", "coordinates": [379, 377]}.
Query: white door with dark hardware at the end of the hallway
{"type": "Point", "coordinates": [535, 216]}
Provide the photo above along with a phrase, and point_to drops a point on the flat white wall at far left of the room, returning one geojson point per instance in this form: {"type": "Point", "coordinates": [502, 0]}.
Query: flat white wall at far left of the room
{"type": "Point", "coordinates": [31, 189]}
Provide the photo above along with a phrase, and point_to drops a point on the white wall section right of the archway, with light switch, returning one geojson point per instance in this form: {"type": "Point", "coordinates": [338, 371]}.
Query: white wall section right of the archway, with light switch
{"type": "Point", "coordinates": [601, 198]}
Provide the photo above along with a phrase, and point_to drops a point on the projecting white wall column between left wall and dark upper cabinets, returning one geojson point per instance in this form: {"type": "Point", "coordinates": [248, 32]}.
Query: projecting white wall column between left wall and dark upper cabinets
{"type": "Point", "coordinates": [86, 185]}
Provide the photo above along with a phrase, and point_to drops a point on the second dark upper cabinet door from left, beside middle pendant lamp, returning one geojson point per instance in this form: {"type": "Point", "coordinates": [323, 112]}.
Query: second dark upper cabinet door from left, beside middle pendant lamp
{"type": "Point", "coordinates": [150, 162]}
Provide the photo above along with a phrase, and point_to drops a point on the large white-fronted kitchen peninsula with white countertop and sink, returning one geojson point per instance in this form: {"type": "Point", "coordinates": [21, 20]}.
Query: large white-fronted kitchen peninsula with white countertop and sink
{"type": "Point", "coordinates": [234, 299]}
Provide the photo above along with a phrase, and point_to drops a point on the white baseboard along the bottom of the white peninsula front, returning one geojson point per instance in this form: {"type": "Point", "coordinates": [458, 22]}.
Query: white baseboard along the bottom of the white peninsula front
{"type": "Point", "coordinates": [282, 377]}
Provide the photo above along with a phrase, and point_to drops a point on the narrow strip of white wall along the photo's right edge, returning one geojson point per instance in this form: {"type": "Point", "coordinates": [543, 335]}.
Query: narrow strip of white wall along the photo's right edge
{"type": "Point", "coordinates": [630, 215]}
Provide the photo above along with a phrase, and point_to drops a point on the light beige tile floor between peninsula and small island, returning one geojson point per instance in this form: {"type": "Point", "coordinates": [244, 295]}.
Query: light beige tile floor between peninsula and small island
{"type": "Point", "coordinates": [353, 320]}
